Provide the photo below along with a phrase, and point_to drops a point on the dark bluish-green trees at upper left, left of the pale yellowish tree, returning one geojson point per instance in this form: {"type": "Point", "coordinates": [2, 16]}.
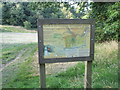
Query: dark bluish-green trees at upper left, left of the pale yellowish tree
{"type": "Point", "coordinates": [17, 13]}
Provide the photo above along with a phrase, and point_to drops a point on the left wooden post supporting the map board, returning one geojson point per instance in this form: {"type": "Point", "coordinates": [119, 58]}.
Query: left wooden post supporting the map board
{"type": "Point", "coordinates": [42, 76]}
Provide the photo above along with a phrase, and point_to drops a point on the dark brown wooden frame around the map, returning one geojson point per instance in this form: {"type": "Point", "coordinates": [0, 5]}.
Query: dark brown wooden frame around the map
{"type": "Point", "coordinates": [42, 22]}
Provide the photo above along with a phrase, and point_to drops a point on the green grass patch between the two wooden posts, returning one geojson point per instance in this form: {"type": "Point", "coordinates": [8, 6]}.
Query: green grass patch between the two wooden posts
{"type": "Point", "coordinates": [72, 78]}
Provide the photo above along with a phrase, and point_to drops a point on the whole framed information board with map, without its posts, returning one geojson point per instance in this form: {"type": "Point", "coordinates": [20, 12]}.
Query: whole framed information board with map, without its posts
{"type": "Point", "coordinates": [63, 40]}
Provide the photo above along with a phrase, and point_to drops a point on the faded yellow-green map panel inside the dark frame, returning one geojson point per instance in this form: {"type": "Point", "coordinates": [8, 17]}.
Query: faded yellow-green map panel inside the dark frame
{"type": "Point", "coordinates": [66, 40]}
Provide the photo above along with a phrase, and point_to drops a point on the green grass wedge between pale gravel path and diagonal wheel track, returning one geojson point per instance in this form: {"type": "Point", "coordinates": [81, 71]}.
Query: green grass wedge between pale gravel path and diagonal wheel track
{"type": "Point", "coordinates": [11, 51]}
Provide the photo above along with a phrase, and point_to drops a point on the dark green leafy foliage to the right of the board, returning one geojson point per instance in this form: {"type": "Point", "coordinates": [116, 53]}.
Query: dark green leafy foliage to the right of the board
{"type": "Point", "coordinates": [107, 20]}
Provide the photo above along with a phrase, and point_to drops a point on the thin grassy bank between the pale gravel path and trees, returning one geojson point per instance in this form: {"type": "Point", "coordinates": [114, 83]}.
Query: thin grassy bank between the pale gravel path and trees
{"type": "Point", "coordinates": [18, 29]}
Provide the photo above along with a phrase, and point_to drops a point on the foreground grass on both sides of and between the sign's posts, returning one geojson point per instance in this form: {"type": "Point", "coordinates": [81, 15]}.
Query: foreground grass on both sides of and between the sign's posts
{"type": "Point", "coordinates": [105, 71]}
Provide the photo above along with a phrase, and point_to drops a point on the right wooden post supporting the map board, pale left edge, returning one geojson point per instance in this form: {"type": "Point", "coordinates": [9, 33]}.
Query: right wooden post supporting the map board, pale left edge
{"type": "Point", "coordinates": [88, 75]}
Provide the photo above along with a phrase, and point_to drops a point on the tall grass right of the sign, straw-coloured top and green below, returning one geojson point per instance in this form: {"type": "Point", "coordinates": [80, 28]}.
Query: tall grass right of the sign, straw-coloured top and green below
{"type": "Point", "coordinates": [105, 65]}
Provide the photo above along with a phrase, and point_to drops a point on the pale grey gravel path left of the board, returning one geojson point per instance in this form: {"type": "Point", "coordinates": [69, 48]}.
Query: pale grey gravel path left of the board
{"type": "Point", "coordinates": [11, 37]}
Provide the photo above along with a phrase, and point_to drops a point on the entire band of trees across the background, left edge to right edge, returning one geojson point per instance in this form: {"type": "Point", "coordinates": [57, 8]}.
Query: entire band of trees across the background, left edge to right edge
{"type": "Point", "coordinates": [26, 14]}
